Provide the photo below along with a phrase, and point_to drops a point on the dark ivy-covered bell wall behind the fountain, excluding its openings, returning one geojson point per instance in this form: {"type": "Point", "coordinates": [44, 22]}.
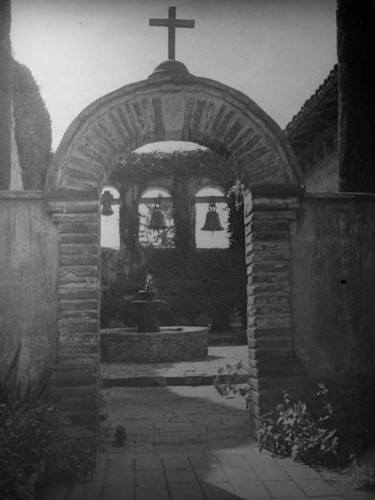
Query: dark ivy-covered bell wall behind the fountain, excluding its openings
{"type": "Point", "coordinates": [199, 286]}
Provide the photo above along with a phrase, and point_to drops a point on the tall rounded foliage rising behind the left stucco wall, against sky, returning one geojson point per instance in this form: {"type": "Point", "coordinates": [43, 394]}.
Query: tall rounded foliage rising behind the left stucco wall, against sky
{"type": "Point", "coordinates": [32, 128]}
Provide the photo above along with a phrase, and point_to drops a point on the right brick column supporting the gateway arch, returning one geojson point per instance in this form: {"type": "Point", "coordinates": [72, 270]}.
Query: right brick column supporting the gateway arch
{"type": "Point", "coordinates": [268, 261]}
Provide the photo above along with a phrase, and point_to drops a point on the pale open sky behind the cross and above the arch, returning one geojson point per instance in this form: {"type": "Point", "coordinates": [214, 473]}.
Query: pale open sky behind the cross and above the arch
{"type": "Point", "coordinates": [277, 52]}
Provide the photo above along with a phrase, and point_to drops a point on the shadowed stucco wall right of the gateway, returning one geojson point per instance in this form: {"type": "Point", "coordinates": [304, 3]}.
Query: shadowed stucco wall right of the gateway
{"type": "Point", "coordinates": [333, 282]}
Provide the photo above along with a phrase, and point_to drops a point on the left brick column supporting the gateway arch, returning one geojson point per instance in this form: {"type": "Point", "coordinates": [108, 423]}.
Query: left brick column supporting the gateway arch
{"type": "Point", "coordinates": [75, 383]}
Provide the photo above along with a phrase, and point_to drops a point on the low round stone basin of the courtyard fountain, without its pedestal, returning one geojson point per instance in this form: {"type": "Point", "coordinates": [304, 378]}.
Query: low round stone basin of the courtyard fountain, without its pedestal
{"type": "Point", "coordinates": [171, 343]}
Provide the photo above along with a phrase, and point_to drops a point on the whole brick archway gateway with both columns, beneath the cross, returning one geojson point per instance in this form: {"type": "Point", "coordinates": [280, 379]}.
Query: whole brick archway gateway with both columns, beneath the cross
{"type": "Point", "coordinates": [171, 104]}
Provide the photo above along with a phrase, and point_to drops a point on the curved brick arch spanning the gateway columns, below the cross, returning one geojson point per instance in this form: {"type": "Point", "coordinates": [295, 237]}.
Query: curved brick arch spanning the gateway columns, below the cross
{"type": "Point", "coordinates": [191, 109]}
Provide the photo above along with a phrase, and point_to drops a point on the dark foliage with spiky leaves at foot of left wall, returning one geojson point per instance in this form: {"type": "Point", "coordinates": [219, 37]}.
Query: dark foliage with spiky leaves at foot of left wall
{"type": "Point", "coordinates": [33, 448]}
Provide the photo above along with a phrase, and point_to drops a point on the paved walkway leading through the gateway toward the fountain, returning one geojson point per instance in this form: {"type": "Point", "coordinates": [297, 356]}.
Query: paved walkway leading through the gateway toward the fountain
{"type": "Point", "coordinates": [188, 443]}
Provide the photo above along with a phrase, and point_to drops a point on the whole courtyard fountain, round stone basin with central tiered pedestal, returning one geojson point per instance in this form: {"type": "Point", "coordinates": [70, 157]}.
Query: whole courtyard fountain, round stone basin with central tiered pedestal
{"type": "Point", "coordinates": [148, 342]}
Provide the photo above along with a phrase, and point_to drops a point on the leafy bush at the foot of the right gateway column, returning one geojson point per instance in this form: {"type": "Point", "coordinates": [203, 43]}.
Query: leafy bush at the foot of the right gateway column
{"type": "Point", "coordinates": [293, 430]}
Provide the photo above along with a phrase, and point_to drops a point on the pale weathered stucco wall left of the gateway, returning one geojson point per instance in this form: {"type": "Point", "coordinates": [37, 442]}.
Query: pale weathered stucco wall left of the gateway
{"type": "Point", "coordinates": [28, 272]}
